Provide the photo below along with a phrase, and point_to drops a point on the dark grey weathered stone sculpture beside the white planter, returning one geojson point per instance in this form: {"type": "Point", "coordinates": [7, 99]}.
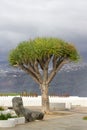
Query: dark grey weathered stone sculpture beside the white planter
{"type": "Point", "coordinates": [20, 110]}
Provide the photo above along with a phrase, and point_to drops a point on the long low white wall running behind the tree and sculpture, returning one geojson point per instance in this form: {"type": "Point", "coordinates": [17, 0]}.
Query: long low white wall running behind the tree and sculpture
{"type": "Point", "coordinates": [36, 101]}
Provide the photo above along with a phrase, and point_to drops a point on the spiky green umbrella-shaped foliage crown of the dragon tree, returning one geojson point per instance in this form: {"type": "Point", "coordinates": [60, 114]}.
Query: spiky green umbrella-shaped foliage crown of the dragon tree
{"type": "Point", "coordinates": [41, 48]}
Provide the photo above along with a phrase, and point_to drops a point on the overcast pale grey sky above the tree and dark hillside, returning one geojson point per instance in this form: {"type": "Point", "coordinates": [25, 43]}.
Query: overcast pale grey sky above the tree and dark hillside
{"type": "Point", "coordinates": [24, 19]}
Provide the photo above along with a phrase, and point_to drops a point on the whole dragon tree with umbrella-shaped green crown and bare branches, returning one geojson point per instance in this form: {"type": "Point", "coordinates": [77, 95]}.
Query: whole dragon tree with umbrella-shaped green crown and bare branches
{"type": "Point", "coordinates": [35, 57]}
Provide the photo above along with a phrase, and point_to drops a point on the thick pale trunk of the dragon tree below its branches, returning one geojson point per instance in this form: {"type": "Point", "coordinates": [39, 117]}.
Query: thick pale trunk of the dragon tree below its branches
{"type": "Point", "coordinates": [45, 98]}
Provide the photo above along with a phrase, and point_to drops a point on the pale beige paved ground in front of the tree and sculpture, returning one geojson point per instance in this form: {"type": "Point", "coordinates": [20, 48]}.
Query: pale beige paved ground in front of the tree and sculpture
{"type": "Point", "coordinates": [67, 122]}
